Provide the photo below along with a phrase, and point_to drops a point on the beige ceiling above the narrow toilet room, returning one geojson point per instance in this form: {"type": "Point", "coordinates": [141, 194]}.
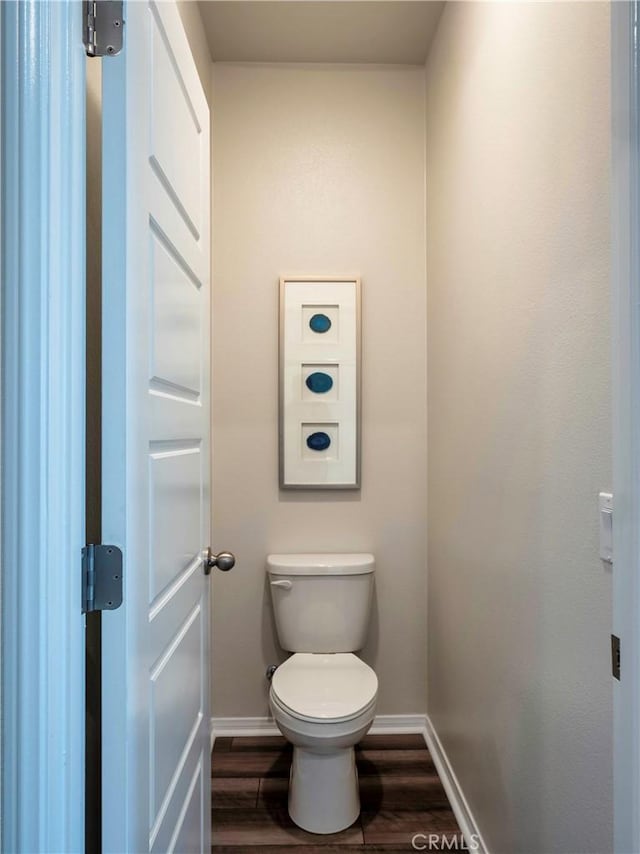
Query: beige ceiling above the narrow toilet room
{"type": "Point", "coordinates": [380, 31]}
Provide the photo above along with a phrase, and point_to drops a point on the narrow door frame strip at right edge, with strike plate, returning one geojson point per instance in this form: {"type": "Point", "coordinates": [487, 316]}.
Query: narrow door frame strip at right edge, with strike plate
{"type": "Point", "coordinates": [625, 286]}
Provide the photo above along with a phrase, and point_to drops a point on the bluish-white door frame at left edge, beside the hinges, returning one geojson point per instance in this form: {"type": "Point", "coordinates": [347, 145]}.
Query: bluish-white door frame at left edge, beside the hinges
{"type": "Point", "coordinates": [42, 72]}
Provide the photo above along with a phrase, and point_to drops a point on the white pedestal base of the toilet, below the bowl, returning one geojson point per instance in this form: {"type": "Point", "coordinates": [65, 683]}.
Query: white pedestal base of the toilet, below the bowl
{"type": "Point", "coordinates": [323, 790]}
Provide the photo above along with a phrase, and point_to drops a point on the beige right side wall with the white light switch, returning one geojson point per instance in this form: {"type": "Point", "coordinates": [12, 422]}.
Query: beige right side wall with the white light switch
{"type": "Point", "coordinates": [519, 417]}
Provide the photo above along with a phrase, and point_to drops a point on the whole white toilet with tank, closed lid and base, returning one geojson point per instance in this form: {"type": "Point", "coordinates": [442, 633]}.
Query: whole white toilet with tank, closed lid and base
{"type": "Point", "coordinates": [323, 697]}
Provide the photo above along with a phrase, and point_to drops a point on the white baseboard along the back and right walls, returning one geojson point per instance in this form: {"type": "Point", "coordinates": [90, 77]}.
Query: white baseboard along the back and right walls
{"type": "Point", "coordinates": [389, 725]}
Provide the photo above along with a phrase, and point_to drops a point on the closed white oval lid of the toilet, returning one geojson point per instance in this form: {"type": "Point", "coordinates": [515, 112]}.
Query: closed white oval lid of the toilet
{"type": "Point", "coordinates": [325, 686]}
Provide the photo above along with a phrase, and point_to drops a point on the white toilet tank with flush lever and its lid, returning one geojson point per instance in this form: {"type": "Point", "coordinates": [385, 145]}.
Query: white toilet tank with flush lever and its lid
{"type": "Point", "coordinates": [321, 602]}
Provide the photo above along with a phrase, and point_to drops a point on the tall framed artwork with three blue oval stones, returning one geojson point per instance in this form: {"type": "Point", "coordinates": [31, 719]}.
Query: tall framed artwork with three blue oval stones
{"type": "Point", "coordinates": [320, 382]}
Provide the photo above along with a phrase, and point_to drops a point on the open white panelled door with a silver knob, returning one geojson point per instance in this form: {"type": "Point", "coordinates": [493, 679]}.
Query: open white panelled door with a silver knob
{"type": "Point", "coordinates": [156, 423]}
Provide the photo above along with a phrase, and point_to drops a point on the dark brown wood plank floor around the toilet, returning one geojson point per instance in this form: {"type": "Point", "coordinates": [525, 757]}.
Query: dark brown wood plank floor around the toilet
{"type": "Point", "coordinates": [400, 791]}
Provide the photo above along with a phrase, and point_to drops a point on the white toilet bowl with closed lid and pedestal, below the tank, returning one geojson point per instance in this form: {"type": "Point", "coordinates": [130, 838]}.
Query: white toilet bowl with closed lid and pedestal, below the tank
{"type": "Point", "coordinates": [323, 704]}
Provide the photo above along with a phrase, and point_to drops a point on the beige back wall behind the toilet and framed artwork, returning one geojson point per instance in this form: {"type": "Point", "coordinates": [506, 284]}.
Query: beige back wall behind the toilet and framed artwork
{"type": "Point", "coordinates": [319, 170]}
